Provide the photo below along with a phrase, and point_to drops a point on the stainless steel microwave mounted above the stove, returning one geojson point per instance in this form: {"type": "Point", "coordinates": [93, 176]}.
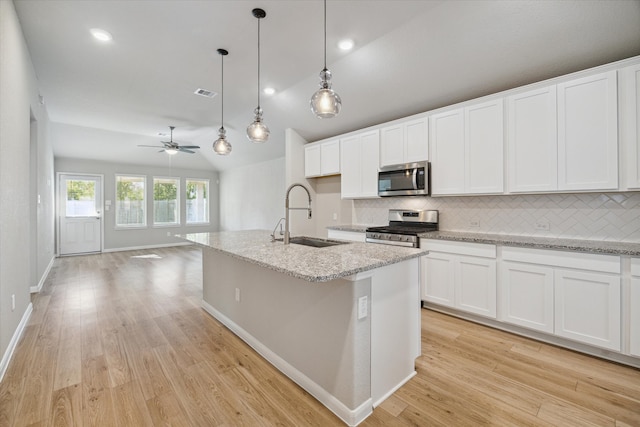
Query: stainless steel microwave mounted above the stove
{"type": "Point", "coordinates": [404, 180]}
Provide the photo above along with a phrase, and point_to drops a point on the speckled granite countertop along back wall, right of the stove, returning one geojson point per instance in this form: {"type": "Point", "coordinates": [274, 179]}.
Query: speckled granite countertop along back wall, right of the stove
{"type": "Point", "coordinates": [589, 246]}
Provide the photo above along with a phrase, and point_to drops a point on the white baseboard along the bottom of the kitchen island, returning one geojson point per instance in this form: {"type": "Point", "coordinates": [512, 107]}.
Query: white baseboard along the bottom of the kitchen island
{"type": "Point", "coordinates": [351, 417]}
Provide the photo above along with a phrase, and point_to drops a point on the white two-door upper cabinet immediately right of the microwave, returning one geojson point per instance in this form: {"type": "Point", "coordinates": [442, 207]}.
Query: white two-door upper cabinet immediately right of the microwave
{"type": "Point", "coordinates": [467, 150]}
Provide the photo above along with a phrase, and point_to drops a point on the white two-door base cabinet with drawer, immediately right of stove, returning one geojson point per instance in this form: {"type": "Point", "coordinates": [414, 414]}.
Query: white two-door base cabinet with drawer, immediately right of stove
{"type": "Point", "coordinates": [460, 275]}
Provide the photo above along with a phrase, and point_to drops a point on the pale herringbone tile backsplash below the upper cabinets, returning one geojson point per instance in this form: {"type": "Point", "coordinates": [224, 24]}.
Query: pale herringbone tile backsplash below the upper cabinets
{"type": "Point", "coordinates": [599, 216]}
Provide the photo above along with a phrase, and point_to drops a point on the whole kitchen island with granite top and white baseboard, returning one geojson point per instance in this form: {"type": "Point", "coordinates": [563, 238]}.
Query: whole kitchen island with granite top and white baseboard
{"type": "Point", "coordinates": [343, 321]}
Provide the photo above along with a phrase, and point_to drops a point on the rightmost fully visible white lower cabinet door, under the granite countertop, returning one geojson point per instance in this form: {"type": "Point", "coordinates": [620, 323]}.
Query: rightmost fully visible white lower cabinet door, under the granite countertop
{"type": "Point", "coordinates": [587, 308]}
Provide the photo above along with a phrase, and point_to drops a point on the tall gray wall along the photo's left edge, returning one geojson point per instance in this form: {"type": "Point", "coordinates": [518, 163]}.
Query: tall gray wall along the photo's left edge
{"type": "Point", "coordinates": [26, 237]}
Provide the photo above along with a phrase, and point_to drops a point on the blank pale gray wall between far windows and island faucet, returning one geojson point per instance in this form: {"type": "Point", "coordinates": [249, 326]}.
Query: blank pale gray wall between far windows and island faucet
{"type": "Point", "coordinates": [252, 197]}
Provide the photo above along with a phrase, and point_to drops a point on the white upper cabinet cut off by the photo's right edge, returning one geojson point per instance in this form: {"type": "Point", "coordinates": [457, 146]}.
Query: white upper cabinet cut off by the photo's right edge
{"type": "Point", "coordinates": [630, 124]}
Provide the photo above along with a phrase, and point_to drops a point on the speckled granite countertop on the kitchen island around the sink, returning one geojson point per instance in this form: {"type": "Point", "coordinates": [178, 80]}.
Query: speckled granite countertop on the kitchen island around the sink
{"type": "Point", "coordinates": [304, 262]}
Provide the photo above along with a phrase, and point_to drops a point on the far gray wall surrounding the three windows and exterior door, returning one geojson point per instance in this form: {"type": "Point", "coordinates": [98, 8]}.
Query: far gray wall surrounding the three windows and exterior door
{"type": "Point", "coordinates": [119, 239]}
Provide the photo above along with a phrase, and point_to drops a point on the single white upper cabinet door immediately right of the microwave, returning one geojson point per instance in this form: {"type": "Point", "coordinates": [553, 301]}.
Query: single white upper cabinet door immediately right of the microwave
{"type": "Point", "coordinates": [447, 152]}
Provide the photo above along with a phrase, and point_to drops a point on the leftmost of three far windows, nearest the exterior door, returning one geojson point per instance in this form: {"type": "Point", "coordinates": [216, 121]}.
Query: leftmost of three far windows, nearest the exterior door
{"type": "Point", "coordinates": [130, 201]}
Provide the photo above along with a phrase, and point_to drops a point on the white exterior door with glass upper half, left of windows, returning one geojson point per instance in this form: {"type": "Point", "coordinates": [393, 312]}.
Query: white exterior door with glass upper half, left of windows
{"type": "Point", "coordinates": [80, 214]}
